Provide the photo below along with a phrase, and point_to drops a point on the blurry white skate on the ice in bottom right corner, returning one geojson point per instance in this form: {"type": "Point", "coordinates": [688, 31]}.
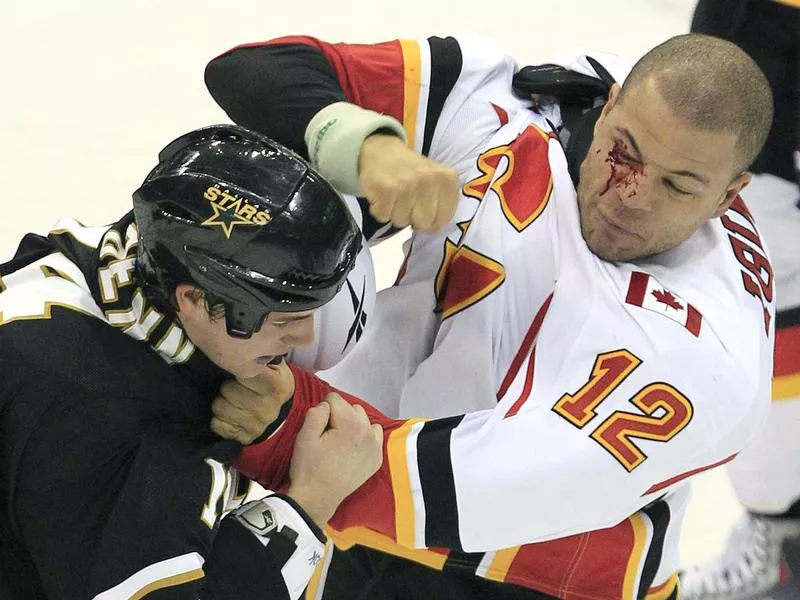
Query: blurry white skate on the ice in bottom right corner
{"type": "Point", "coordinates": [760, 562]}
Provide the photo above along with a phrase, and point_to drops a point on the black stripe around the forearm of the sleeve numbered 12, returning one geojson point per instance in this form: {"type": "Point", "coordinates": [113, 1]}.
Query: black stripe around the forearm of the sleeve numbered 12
{"type": "Point", "coordinates": [438, 484]}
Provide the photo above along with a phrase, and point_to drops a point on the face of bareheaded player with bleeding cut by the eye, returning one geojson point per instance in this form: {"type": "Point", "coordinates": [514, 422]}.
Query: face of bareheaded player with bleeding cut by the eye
{"type": "Point", "coordinates": [650, 179]}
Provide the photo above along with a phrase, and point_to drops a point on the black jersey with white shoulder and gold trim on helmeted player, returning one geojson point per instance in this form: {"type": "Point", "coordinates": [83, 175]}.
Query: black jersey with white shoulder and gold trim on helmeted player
{"type": "Point", "coordinates": [112, 484]}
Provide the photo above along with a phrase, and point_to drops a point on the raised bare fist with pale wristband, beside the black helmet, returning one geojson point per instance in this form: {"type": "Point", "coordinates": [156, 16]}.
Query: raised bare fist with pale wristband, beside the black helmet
{"type": "Point", "coordinates": [404, 187]}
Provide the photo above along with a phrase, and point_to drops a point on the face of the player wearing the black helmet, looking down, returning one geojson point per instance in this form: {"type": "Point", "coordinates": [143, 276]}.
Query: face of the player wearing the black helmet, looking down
{"type": "Point", "coordinates": [244, 358]}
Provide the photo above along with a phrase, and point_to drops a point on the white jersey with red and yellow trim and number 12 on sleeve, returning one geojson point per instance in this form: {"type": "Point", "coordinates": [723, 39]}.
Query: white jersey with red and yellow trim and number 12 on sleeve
{"type": "Point", "coordinates": [566, 399]}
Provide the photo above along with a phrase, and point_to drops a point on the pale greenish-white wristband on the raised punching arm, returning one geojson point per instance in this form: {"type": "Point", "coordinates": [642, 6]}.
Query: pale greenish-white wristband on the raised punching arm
{"type": "Point", "coordinates": [334, 137]}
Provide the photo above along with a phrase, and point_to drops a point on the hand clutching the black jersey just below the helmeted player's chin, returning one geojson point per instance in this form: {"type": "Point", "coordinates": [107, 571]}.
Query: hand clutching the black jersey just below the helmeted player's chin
{"type": "Point", "coordinates": [245, 408]}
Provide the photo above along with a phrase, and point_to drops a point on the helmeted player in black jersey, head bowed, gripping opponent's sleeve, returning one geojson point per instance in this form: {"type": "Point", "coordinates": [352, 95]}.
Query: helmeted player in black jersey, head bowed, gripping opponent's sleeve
{"type": "Point", "coordinates": [113, 343]}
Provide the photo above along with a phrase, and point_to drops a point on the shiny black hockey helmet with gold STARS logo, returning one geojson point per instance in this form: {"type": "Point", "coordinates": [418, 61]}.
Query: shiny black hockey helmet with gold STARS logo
{"type": "Point", "coordinates": [245, 219]}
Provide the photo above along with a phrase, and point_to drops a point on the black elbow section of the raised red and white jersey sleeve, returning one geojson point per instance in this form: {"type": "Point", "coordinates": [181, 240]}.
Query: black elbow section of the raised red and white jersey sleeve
{"type": "Point", "coordinates": [275, 89]}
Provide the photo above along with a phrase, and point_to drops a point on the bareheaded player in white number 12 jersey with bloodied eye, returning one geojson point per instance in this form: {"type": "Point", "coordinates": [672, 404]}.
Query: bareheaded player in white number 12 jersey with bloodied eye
{"type": "Point", "coordinates": [583, 347]}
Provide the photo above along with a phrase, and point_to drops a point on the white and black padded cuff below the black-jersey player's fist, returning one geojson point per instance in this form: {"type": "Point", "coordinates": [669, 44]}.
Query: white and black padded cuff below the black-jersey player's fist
{"type": "Point", "coordinates": [274, 517]}
